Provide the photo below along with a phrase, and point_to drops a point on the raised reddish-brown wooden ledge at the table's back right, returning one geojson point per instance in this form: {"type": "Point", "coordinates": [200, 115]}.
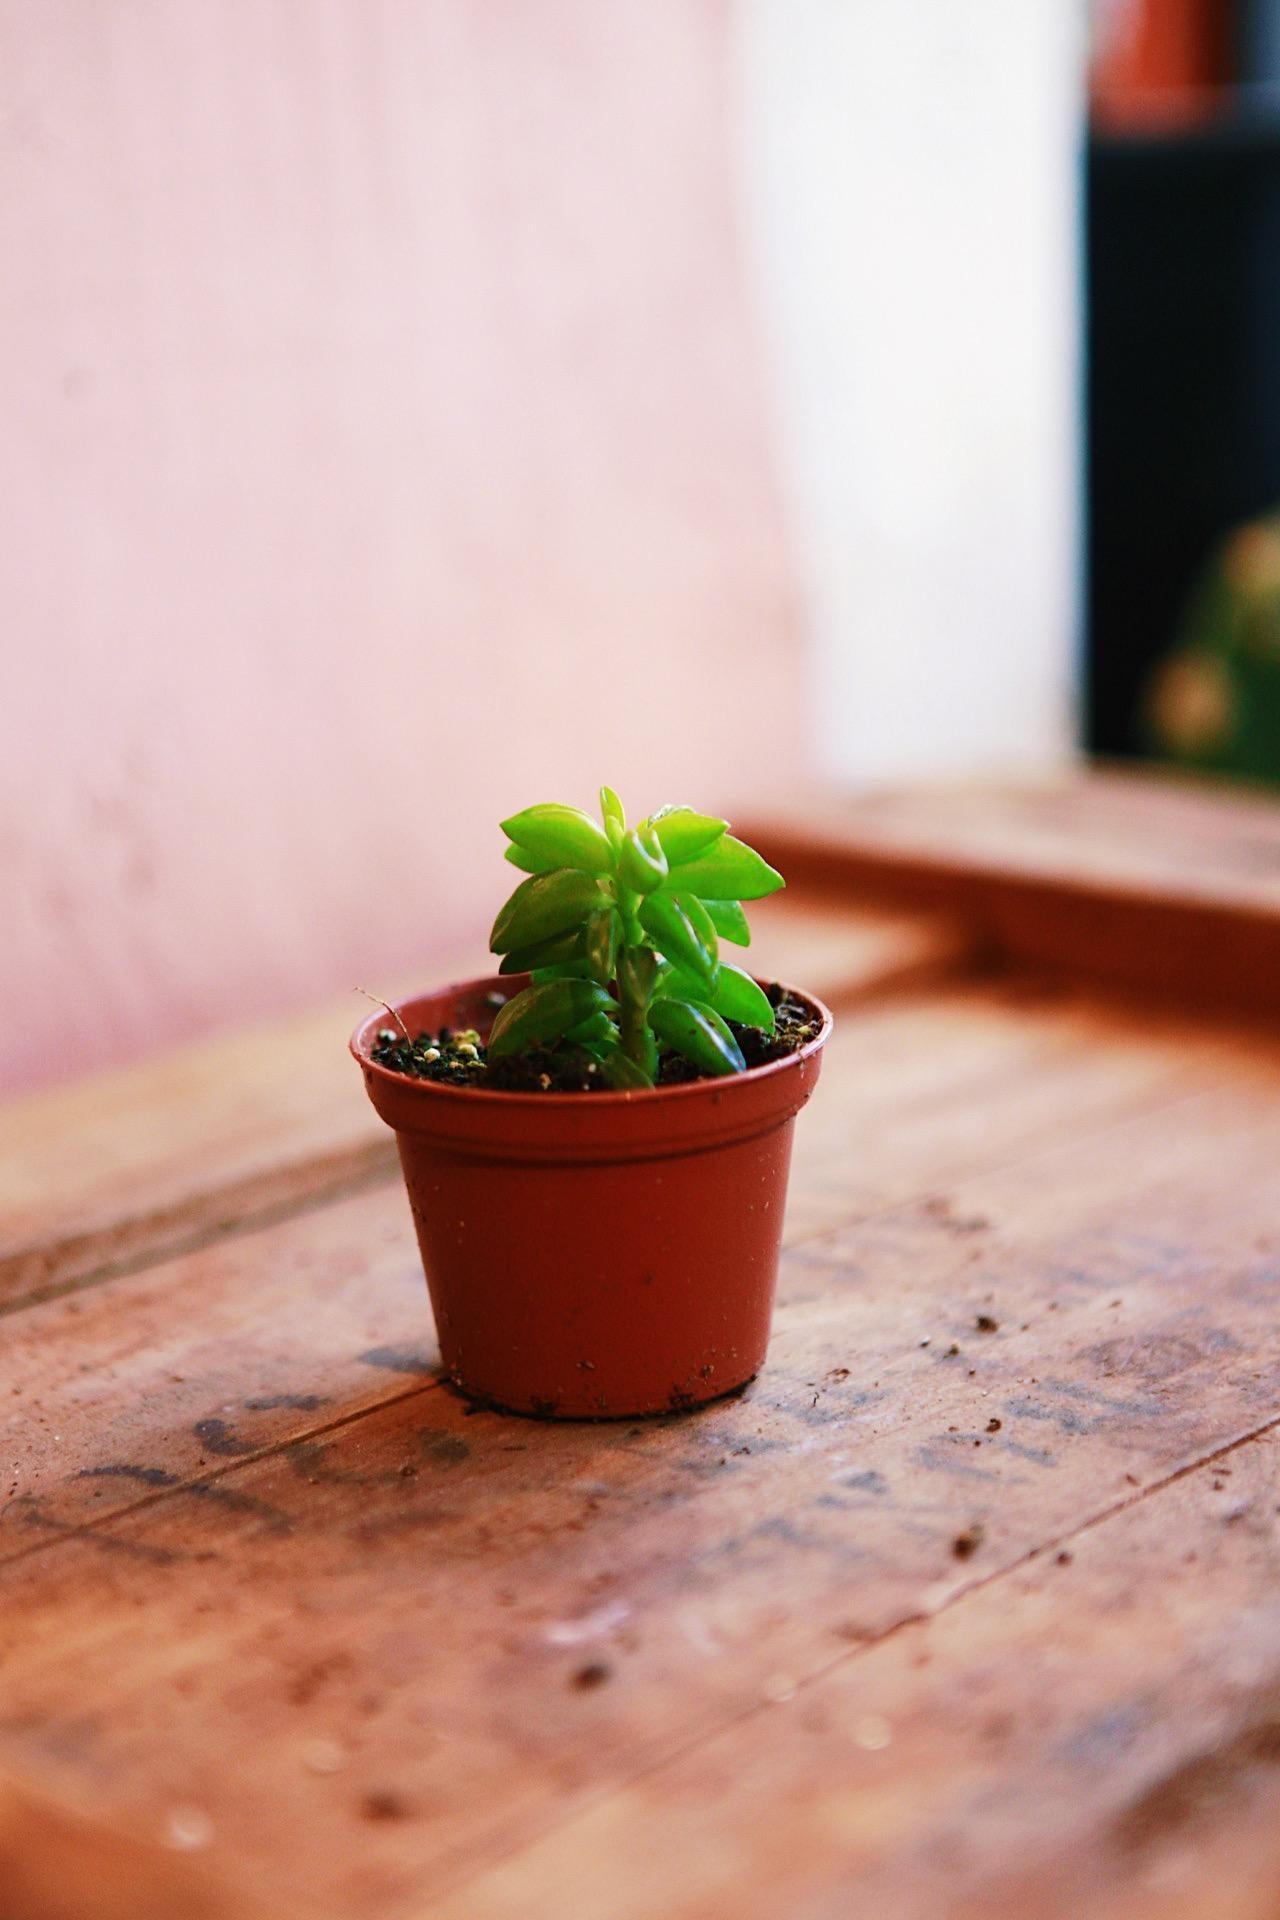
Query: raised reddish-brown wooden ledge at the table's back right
{"type": "Point", "coordinates": [1141, 882]}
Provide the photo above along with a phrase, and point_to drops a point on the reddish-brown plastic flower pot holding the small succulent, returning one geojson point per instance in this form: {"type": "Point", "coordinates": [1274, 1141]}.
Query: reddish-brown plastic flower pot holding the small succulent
{"type": "Point", "coordinates": [596, 1255]}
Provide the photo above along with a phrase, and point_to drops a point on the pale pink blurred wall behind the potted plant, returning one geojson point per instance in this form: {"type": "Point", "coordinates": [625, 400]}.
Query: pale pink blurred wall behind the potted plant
{"type": "Point", "coordinates": [383, 446]}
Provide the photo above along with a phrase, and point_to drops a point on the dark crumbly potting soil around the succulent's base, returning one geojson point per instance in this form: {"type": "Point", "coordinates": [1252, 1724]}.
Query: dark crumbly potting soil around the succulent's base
{"type": "Point", "coordinates": [460, 1057]}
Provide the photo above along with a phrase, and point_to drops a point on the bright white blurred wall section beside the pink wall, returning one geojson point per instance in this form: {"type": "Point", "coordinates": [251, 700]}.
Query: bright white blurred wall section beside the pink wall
{"type": "Point", "coordinates": [913, 189]}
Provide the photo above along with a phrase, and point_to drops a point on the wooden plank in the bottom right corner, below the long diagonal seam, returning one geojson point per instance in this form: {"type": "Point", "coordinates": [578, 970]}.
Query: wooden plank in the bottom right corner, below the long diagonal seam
{"type": "Point", "coordinates": [1081, 1717]}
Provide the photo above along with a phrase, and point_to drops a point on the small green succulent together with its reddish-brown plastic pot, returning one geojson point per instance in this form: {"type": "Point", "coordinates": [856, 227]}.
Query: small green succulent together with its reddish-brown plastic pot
{"type": "Point", "coordinates": [596, 1141]}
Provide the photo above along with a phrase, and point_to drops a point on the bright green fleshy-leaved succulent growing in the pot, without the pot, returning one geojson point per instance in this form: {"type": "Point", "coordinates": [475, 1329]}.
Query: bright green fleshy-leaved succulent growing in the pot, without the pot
{"type": "Point", "coordinates": [621, 932]}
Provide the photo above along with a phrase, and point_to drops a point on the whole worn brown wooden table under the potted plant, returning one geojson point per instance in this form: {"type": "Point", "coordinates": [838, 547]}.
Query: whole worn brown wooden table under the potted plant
{"type": "Point", "coordinates": [968, 1606]}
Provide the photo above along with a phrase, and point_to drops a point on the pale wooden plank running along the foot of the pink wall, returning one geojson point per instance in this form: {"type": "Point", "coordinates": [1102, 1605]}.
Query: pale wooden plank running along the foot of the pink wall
{"type": "Point", "coordinates": [139, 1164]}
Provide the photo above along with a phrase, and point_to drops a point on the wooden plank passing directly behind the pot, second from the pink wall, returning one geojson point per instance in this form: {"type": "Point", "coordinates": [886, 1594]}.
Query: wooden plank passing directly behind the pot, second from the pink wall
{"type": "Point", "coordinates": [166, 1376]}
